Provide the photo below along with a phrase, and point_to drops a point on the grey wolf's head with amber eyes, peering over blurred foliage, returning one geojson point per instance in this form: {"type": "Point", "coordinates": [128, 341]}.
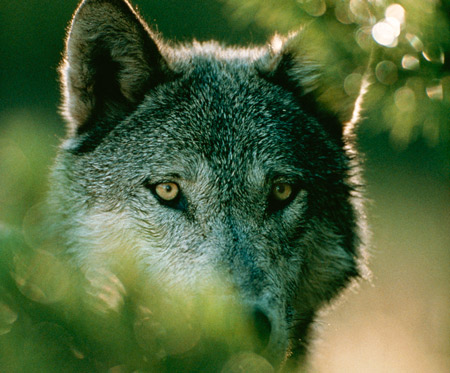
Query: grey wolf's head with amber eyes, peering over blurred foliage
{"type": "Point", "coordinates": [206, 165]}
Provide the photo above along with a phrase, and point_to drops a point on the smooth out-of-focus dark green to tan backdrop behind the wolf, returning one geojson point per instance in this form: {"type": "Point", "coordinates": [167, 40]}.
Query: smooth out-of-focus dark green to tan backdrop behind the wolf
{"type": "Point", "coordinates": [398, 322]}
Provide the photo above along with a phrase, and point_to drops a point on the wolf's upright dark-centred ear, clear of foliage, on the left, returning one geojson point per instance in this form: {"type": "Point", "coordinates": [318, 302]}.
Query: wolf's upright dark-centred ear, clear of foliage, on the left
{"type": "Point", "coordinates": [111, 60]}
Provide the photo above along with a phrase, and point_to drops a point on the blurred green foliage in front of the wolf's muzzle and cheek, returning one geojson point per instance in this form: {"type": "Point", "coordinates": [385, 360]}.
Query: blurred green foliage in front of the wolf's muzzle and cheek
{"type": "Point", "coordinates": [55, 317]}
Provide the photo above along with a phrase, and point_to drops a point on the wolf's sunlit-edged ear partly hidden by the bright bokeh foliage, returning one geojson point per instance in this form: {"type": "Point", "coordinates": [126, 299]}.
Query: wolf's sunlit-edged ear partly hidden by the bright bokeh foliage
{"type": "Point", "coordinates": [292, 62]}
